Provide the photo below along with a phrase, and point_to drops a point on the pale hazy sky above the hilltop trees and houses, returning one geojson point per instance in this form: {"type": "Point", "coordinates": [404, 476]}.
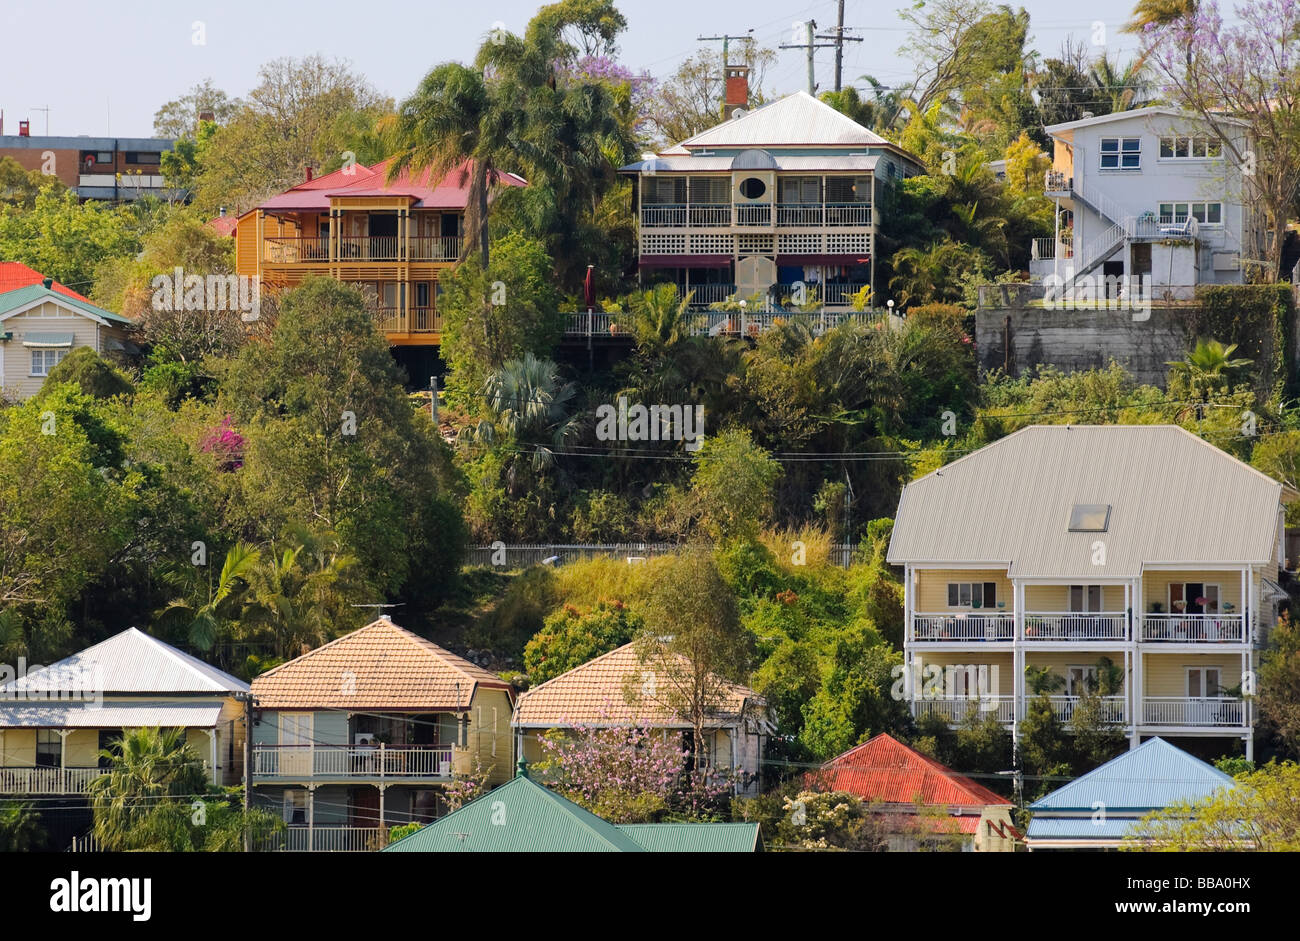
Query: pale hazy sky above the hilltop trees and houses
{"type": "Point", "coordinates": [105, 68]}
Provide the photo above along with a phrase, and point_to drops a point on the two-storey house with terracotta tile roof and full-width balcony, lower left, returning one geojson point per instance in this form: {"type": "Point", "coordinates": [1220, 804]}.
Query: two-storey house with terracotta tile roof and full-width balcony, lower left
{"type": "Point", "coordinates": [367, 731]}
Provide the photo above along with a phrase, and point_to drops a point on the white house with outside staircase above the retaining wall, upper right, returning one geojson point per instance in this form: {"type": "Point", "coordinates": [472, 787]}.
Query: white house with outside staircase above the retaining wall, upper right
{"type": "Point", "coordinates": [1151, 192]}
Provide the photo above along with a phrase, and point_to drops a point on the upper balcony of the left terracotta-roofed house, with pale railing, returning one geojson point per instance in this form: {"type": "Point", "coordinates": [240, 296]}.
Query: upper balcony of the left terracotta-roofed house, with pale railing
{"type": "Point", "coordinates": [352, 762]}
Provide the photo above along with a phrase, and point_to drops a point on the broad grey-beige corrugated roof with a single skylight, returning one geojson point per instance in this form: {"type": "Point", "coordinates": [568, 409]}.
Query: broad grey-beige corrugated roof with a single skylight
{"type": "Point", "coordinates": [1173, 498]}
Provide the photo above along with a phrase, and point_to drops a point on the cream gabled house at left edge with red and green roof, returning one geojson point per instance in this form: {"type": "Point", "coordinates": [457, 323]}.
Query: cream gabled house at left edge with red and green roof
{"type": "Point", "coordinates": [42, 322]}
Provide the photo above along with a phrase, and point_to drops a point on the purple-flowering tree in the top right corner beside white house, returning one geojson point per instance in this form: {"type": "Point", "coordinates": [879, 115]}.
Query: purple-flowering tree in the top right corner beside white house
{"type": "Point", "coordinates": [1243, 80]}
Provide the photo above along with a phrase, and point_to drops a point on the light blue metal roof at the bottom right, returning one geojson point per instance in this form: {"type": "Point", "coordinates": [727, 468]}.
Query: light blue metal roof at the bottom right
{"type": "Point", "coordinates": [1151, 777]}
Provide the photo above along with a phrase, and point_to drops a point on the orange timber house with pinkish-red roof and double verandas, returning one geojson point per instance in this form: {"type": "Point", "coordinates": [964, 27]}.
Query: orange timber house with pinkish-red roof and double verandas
{"type": "Point", "coordinates": [354, 226]}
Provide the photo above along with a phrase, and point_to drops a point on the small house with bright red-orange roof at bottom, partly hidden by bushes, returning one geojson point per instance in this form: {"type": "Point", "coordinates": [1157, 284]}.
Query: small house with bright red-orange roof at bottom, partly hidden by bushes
{"type": "Point", "coordinates": [921, 795]}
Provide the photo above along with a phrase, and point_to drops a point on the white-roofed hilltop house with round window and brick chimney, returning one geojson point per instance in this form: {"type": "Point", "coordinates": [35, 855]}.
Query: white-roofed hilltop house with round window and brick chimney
{"type": "Point", "coordinates": [788, 193]}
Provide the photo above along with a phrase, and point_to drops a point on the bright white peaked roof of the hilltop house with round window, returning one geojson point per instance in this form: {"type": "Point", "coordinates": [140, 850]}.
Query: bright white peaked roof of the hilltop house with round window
{"type": "Point", "coordinates": [796, 120]}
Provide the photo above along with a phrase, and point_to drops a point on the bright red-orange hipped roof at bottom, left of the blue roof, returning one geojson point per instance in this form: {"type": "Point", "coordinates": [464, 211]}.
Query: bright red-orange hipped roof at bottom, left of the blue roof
{"type": "Point", "coordinates": [886, 770]}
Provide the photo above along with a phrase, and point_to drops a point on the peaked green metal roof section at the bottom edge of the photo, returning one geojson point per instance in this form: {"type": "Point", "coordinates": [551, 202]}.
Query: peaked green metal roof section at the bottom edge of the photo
{"type": "Point", "coordinates": [521, 817]}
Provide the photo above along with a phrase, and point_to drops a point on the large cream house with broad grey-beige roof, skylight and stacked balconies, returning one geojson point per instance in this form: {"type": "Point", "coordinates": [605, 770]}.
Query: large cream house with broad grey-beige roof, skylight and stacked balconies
{"type": "Point", "coordinates": [1089, 552]}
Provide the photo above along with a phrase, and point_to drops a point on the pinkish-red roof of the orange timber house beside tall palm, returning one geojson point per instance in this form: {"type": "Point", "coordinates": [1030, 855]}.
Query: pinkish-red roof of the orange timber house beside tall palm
{"type": "Point", "coordinates": [450, 192]}
